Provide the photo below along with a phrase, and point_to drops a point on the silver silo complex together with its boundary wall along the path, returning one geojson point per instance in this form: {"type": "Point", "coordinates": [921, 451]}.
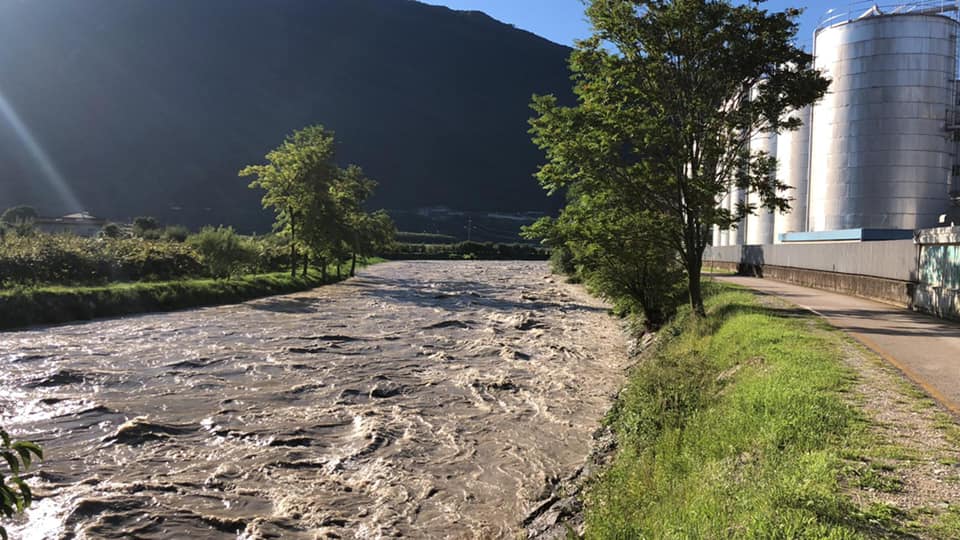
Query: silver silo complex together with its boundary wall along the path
{"type": "Point", "coordinates": [875, 168]}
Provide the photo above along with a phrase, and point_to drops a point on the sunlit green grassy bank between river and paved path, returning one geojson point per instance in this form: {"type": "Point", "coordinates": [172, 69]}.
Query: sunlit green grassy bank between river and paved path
{"type": "Point", "coordinates": [748, 425]}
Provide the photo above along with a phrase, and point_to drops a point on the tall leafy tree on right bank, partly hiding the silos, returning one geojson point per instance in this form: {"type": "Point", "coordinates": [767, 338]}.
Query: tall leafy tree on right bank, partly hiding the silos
{"type": "Point", "coordinates": [669, 94]}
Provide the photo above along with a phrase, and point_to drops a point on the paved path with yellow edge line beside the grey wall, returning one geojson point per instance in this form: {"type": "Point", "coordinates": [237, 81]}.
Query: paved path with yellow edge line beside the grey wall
{"type": "Point", "coordinates": [926, 349]}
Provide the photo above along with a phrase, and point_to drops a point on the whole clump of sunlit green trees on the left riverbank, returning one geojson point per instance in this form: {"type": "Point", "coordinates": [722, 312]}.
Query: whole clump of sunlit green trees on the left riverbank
{"type": "Point", "coordinates": [319, 206]}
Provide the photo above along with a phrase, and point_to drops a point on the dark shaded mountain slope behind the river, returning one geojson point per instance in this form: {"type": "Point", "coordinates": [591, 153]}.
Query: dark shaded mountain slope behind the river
{"type": "Point", "coordinates": [135, 107]}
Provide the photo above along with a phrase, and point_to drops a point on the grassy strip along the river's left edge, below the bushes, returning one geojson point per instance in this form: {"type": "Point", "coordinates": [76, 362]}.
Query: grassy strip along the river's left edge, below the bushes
{"type": "Point", "coordinates": [21, 307]}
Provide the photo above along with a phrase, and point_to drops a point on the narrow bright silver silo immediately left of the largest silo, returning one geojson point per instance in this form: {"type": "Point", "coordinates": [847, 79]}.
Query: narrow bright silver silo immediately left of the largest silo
{"type": "Point", "coordinates": [793, 158]}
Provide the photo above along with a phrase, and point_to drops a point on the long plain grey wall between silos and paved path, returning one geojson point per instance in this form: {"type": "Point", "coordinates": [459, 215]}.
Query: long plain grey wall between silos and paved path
{"type": "Point", "coordinates": [896, 259]}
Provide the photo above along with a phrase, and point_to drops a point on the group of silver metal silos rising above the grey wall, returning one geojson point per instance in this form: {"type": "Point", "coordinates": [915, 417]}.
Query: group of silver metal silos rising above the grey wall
{"type": "Point", "coordinates": [879, 152]}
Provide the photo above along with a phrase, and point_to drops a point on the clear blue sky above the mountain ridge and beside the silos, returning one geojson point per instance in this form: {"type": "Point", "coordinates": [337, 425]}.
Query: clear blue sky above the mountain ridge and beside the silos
{"type": "Point", "coordinates": [563, 20]}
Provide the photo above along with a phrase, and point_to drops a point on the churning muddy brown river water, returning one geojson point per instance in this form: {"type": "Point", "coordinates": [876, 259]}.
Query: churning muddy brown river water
{"type": "Point", "coordinates": [426, 399]}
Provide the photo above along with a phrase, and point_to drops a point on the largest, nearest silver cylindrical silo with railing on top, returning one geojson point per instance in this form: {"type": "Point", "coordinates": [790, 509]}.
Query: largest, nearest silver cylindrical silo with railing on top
{"type": "Point", "coordinates": [880, 152]}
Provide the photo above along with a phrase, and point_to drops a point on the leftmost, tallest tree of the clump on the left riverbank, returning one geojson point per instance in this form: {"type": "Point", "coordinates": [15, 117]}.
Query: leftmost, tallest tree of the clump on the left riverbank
{"type": "Point", "coordinates": [296, 180]}
